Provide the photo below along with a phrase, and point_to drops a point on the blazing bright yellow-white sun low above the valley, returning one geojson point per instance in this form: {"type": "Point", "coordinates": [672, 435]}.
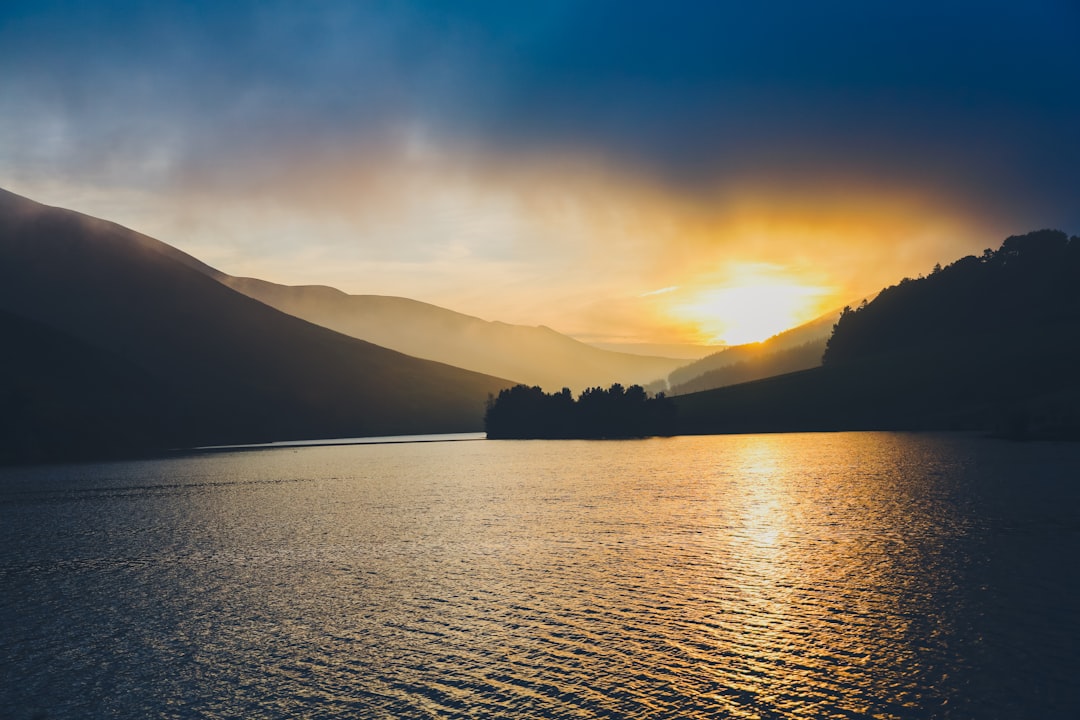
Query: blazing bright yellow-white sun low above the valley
{"type": "Point", "coordinates": [752, 310]}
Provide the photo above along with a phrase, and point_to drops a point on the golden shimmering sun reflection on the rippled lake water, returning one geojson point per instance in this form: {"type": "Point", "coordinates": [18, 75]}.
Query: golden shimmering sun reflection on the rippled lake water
{"type": "Point", "coordinates": [815, 591]}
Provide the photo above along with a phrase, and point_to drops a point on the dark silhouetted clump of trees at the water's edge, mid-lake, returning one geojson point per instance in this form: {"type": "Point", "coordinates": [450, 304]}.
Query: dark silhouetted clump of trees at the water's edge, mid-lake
{"type": "Point", "coordinates": [523, 413]}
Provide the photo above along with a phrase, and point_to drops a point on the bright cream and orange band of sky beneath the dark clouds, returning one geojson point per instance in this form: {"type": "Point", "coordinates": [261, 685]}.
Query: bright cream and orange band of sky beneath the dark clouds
{"type": "Point", "coordinates": [600, 255]}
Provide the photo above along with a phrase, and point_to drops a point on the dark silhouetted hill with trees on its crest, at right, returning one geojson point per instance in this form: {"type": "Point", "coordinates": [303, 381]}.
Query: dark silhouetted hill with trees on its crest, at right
{"type": "Point", "coordinates": [988, 344]}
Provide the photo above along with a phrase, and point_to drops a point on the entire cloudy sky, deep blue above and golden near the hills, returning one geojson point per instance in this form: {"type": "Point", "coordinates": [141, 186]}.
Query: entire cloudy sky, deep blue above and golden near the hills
{"type": "Point", "coordinates": [626, 172]}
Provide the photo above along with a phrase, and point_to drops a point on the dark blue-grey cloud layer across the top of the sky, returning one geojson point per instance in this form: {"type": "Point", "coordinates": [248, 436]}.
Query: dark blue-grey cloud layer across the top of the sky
{"type": "Point", "coordinates": [951, 94]}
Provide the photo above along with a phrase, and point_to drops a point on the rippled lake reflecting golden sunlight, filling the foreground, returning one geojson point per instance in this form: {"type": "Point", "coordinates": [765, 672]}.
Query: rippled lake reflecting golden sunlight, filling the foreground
{"type": "Point", "coordinates": [807, 576]}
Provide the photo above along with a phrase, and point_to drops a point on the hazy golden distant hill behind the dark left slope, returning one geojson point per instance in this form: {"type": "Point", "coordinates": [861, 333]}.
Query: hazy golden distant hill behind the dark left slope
{"type": "Point", "coordinates": [532, 356]}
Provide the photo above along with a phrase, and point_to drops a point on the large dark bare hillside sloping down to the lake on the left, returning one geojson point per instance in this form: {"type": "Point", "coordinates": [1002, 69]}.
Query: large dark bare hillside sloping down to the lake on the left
{"type": "Point", "coordinates": [115, 330]}
